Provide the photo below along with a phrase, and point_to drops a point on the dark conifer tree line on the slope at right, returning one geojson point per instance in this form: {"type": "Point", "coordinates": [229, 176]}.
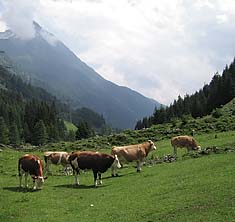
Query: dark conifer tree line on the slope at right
{"type": "Point", "coordinates": [217, 93]}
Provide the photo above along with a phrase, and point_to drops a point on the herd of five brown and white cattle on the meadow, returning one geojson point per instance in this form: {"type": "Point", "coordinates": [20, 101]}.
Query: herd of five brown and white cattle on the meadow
{"type": "Point", "coordinates": [99, 163]}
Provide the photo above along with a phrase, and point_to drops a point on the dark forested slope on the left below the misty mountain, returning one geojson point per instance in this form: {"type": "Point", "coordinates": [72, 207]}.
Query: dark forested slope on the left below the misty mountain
{"type": "Point", "coordinates": [29, 114]}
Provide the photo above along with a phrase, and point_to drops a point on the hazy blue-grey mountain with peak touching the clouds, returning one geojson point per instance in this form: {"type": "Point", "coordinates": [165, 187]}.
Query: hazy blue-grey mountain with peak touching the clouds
{"type": "Point", "coordinates": [61, 72]}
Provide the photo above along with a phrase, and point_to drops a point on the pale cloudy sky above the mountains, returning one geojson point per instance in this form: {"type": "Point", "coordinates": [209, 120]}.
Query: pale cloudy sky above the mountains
{"type": "Point", "coordinates": [161, 49]}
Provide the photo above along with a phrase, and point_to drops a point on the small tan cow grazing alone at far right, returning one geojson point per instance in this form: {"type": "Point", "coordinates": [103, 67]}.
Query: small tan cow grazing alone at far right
{"type": "Point", "coordinates": [184, 141]}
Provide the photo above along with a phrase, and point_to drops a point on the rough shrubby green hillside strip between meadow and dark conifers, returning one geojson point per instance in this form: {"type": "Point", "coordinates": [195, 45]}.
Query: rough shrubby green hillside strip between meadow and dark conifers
{"type": "Point", "coordinates": [221, 120]}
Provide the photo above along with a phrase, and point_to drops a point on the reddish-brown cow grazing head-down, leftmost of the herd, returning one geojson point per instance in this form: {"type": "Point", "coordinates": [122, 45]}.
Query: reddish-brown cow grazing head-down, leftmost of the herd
{"type": "Point", "coordinates": [31, 164]}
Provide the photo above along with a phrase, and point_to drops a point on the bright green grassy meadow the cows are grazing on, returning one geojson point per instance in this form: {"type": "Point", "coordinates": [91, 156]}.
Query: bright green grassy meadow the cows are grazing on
{"type": "Point", "coordinates": [190, 189]}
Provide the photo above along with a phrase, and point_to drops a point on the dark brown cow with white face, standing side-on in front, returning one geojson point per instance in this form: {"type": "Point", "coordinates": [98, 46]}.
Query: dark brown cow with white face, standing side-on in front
{"type": "Point", "coordinates": [97, 162]}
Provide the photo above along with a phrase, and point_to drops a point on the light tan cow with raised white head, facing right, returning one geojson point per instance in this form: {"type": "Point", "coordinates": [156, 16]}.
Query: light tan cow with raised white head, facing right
{"type": "Point", "coordinates": [137, 152]}
